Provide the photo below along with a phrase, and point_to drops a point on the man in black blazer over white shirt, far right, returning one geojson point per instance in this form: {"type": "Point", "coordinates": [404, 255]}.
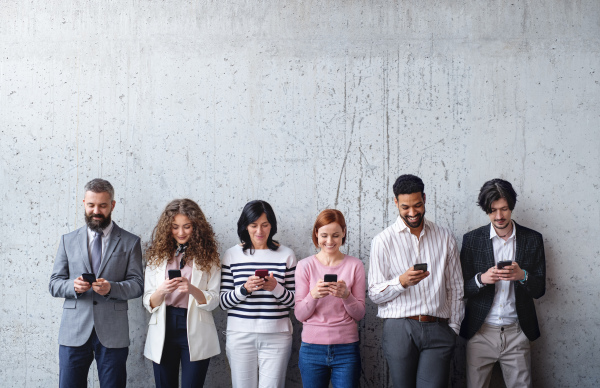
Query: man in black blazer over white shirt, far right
{"type": "Point", "coordinates": [504, 269]}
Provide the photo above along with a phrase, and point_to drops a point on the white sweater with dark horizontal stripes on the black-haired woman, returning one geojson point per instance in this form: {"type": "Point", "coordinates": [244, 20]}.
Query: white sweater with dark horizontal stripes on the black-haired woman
{"type": "Point", "coordinates": [262, 311]}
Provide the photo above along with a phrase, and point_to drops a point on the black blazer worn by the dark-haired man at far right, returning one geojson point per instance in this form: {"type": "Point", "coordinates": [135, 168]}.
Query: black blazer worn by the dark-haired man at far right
{"type": "Point", "coordinates": [477, 255]}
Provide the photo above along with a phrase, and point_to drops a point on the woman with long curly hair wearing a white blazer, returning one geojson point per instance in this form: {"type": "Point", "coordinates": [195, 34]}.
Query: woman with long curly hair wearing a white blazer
{"type": "Point", "coordinates": [181, 328]}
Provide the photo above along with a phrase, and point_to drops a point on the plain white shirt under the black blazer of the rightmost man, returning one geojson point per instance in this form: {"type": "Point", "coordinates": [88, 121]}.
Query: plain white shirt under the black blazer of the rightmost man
{"type": "Point", "coordinates": [503, 311]}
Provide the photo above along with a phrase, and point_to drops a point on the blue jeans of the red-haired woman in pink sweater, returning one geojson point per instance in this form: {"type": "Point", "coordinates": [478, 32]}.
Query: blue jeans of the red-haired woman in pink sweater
{"type": "Point", "coordinates": [321, 363]}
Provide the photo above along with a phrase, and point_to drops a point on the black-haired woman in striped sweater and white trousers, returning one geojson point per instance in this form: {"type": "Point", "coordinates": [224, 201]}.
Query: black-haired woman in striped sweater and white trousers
{"type": "Point", "coordinates": [259, 331]}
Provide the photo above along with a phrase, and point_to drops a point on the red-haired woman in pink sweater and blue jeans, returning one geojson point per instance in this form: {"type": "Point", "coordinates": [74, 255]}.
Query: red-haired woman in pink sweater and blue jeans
{"type": "Point", "coordinates": [329, 310]}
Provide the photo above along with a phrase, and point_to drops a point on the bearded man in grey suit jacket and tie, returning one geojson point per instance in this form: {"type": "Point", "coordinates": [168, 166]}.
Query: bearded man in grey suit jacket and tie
{"type": "Point", "coordinates": [94, 321]}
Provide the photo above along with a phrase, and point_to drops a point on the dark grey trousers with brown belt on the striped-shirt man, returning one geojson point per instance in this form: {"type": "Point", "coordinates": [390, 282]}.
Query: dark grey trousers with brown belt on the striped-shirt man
{"type": "Point", "coordinates": [418, 353]}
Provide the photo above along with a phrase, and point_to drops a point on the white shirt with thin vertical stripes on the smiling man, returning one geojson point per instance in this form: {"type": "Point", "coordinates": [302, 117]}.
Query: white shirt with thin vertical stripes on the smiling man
{"type": "Point", "coordinates": [394, 251]}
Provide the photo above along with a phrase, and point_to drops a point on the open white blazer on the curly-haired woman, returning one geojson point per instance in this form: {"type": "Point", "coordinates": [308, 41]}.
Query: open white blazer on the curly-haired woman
{"type": "Point", "coordinates": [202, 333]}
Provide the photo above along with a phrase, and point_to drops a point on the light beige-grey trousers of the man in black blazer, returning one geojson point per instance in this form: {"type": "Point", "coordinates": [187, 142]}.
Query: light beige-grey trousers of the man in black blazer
{"type": "Point", "coordinates": [509, 346]}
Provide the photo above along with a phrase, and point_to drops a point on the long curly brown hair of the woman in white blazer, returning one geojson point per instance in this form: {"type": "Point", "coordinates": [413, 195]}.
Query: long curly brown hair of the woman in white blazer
{"type": "Point", "coordinates": [203, 247]}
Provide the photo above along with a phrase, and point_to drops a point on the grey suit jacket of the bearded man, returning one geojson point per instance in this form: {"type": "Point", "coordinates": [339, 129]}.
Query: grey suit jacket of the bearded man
{"type": "Point", "coordinates": [121, 265]}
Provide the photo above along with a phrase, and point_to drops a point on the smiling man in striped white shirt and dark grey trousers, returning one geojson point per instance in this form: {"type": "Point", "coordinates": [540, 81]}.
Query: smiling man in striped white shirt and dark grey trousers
{"type": "Point", "coordinates": [422, 308]}
